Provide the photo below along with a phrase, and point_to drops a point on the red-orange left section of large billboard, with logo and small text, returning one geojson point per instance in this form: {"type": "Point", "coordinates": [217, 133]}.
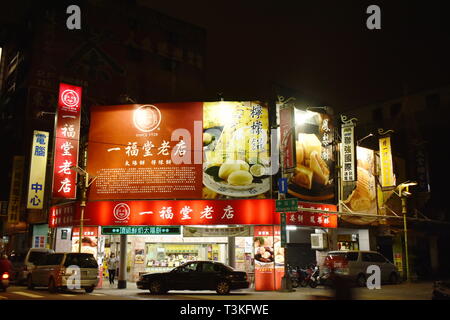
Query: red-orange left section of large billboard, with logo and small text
{"type": "Point", "coordinates": [146, 151]}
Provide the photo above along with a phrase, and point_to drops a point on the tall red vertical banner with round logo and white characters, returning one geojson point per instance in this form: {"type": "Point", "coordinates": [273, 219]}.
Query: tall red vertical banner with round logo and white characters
{"type": "Point", "coordinates": [67, 136]}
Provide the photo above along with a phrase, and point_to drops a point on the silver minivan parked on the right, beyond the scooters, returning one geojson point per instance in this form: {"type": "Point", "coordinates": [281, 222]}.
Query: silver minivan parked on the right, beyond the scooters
{"type": "Point", "coordinates": [354, 264]}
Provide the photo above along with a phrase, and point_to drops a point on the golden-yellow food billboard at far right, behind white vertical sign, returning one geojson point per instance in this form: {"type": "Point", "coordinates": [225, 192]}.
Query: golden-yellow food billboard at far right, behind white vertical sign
{"type": "Point", "coordinates": [363, 199]}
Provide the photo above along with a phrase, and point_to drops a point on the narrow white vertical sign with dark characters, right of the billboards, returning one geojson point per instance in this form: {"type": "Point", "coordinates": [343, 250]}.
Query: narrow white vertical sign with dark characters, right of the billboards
{"type": "Point", "coordinates": [348, 153]}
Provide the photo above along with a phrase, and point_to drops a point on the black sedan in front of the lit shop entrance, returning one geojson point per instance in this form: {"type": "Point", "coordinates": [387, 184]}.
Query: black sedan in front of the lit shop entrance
{"type": "Point", "coordinates": [195, 275]}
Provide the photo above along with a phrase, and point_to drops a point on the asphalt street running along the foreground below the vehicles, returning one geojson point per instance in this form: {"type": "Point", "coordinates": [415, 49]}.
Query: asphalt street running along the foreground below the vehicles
{"type": "Point", "coordinates": [403, 291]}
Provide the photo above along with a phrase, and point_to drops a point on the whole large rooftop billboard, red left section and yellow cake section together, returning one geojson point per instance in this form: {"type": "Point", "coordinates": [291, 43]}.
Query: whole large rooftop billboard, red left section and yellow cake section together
{"type": "Point", "coordinates": [188, 150]}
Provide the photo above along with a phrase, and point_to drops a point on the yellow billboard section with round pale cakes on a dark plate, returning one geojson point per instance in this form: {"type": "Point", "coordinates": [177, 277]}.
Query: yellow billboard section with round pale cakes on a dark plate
{"type": "Point", "coordinates": [236, 143]}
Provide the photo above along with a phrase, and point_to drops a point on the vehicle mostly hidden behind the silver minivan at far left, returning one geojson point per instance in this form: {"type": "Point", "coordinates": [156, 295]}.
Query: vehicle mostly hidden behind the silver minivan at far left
{"type": "Point", "coordinates": [23, 264]}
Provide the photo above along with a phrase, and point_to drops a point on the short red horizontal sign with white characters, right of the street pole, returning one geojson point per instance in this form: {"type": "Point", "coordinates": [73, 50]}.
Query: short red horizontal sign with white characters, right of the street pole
{"type": "Point", "coordinates": [314, 219]}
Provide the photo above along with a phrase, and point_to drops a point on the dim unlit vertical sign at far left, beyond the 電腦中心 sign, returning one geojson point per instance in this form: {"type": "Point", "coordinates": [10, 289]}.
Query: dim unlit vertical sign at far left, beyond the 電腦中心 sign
{"type": "Point", "coordinates": [15, 193]}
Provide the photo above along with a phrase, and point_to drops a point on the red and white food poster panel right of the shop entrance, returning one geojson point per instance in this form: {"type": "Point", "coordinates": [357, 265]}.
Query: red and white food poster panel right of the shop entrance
{"type": "Point", "coordinates": [269, 258]}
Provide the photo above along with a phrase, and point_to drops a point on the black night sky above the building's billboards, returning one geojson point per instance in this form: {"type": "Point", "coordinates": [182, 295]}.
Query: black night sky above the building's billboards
{"type": "Point", "coordinates": [320, 48]}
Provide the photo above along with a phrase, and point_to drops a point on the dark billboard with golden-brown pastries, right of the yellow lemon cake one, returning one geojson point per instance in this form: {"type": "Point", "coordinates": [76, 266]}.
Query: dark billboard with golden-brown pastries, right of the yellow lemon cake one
{"type": "Point", "coordinates": [313, 177]}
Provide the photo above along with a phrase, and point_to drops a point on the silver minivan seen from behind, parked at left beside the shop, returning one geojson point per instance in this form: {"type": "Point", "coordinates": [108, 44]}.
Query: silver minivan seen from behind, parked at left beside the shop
{"type": "Point", "coordinates": [56, 271]}
